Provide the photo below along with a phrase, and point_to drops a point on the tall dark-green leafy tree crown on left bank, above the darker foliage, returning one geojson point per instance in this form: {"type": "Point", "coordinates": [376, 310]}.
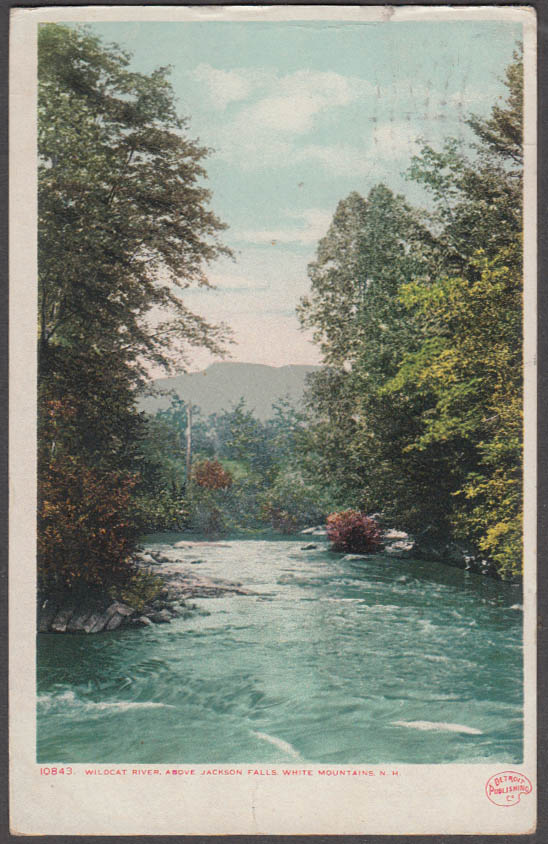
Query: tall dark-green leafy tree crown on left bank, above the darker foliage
{"type": "Point", "coordinates": [124, 223]}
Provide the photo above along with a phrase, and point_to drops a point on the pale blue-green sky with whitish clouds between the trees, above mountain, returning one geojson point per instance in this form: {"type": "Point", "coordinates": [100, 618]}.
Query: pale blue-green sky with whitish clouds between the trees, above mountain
{"type": "Point", "coordinates": [298, 115]}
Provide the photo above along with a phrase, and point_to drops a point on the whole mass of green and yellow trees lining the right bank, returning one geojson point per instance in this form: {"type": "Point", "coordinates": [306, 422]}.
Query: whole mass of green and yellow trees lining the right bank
{"type": "Point", "coordinates": [418, 312]}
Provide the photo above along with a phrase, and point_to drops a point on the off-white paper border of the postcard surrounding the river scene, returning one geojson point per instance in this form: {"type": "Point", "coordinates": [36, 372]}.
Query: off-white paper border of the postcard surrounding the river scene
{"type": "Point", "coordinates": [421, 799]}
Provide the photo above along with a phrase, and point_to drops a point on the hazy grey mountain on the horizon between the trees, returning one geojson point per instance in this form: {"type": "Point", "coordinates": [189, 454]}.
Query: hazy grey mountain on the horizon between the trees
{"type": "Point", "coordinates": [222, 385]}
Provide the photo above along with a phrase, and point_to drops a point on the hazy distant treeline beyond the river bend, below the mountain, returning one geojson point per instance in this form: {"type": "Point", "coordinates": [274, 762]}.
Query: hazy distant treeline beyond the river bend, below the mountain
{"type": "Point", "coordinates": [246, 474]}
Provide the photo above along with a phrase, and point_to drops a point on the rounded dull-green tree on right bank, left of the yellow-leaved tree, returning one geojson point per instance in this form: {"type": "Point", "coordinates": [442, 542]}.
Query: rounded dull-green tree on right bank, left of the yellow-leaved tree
{"type": "Point", "coordinates": [358, 434]}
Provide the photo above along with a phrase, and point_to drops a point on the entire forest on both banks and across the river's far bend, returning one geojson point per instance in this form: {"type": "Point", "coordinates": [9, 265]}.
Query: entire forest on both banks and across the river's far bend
{"type": "Point", "coordinates": [416, 414]}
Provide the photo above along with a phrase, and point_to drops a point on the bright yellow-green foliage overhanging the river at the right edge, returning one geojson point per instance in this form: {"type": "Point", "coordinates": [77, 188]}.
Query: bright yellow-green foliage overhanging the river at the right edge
{"type": "Point", "coordinates": [478, 386]}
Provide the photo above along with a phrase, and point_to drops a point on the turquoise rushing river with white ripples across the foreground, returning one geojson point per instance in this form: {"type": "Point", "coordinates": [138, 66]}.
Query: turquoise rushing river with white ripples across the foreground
{"type": "Point", "coordinates": [334, 660]}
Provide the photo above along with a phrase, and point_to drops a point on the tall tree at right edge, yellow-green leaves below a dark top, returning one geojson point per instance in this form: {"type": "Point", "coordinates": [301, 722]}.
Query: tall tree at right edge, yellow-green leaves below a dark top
{"type": "Point", "coordinates": [470, 357]}
